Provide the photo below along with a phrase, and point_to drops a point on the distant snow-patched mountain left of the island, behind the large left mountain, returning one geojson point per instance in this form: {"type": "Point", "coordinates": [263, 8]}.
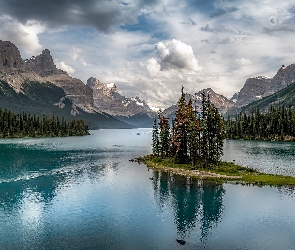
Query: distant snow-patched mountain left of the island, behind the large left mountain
{"type": "Point", "coordinates": [109, 100]}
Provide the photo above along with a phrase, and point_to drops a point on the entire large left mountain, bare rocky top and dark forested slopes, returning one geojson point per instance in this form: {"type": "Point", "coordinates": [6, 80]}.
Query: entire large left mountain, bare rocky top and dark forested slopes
{"type": "Point", "coordinates": [37, 86]}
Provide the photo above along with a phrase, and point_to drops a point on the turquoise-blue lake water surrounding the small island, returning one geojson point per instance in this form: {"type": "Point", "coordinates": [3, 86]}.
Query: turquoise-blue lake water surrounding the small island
{"type": "Point", "coordinates": [84, 193]}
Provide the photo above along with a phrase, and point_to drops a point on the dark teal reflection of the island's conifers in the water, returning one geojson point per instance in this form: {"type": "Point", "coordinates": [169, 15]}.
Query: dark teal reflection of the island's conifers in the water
{"type": "Point", "coordinates": [196, 206]}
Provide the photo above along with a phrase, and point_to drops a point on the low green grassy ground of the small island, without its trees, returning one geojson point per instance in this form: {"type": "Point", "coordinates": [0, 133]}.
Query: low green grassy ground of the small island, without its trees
{"type": "Point", "coordinates": [223, 172]}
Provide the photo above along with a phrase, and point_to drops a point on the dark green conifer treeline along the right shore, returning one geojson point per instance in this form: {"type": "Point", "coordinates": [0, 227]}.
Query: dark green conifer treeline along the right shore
{"type": "Point", "coordinates": [277, 124]}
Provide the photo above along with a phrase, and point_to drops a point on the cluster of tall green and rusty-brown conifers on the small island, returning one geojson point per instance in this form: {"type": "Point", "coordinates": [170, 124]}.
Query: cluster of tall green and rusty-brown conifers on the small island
{"type": "Point", "coordinates": [194, 137]}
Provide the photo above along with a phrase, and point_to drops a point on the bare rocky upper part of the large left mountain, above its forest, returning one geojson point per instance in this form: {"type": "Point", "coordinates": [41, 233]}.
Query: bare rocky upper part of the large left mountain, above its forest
{"type": "Point", "coordinates": [15, 71]}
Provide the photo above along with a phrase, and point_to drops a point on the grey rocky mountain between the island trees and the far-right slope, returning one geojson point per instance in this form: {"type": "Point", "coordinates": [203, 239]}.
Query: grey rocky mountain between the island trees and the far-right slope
{"type": "Point", "coordinates": [254, 89]}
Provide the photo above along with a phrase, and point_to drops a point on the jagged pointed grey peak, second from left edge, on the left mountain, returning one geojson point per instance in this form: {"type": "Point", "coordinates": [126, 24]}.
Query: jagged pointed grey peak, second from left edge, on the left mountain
{"type": "Point", "coordinates": [43, 64]}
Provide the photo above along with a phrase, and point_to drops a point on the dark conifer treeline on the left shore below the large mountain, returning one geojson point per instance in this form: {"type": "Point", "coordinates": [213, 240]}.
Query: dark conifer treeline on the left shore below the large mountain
{"type": "Point", "coordinates": [25, 125]}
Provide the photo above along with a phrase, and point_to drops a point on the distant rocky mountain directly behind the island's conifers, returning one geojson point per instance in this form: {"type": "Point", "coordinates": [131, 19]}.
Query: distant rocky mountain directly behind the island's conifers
{"type": "Point", "coordinates": [220, 102]}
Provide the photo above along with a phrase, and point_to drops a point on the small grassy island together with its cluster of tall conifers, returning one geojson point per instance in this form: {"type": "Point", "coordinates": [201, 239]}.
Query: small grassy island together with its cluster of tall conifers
{"type": "Point", "coordinates": [193, 146]}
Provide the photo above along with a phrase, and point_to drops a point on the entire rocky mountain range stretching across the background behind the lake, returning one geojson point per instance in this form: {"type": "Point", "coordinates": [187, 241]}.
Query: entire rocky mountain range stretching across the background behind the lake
{"type": "Point", "coordinates": [36, 85]}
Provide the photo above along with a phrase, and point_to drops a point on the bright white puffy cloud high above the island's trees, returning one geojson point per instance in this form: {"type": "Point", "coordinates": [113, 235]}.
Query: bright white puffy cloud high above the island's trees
{"type": "Point", "coordinates": [175, 55]}
